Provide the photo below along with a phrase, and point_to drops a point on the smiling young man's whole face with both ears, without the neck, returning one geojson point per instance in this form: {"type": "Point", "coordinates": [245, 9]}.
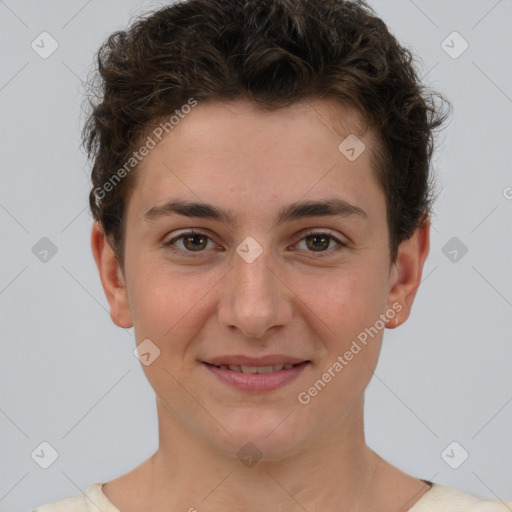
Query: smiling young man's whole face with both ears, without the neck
{"type": "Point", "coordinates": [262, 287]}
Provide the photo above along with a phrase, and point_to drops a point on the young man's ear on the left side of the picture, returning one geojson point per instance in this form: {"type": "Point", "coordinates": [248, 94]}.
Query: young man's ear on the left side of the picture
{"type": "Point", "coordinates": [111, 277]}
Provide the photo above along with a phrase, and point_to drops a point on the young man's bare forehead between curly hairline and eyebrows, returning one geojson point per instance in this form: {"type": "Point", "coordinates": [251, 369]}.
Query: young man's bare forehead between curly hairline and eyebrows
{"type": "Point", "coordinates": [237, 149]}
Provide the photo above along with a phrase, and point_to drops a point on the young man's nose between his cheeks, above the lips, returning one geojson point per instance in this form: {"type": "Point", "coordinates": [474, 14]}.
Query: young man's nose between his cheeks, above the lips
{"type": "Point", "coordinates": [255, 297]}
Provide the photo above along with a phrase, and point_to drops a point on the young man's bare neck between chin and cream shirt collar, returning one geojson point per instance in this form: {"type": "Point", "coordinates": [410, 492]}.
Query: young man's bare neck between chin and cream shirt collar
{"type": "Point", "coordinates": [188, 473]}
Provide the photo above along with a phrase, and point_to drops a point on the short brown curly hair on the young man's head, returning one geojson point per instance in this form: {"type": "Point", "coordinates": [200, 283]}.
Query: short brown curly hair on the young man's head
{"type": "Point", "coordinates": [273, 53]}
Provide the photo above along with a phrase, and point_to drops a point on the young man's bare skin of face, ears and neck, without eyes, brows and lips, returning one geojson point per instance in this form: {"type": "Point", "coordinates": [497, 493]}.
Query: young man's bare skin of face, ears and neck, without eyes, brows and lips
{"type": "Point", "coordinates": [289, 301]}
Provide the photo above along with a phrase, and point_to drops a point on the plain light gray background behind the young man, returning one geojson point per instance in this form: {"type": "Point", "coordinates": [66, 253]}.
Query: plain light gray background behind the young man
{"type": "Point", "coordinates": [67, 373]}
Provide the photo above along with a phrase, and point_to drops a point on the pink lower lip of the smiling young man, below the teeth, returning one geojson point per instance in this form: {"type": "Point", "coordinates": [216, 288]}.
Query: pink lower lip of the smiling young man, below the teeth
{"type": "Point", "coordinates": [258, 382]}
